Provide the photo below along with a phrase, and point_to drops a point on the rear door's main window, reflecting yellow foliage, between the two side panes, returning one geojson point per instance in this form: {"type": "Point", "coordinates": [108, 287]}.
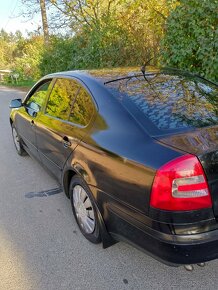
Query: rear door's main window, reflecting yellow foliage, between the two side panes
{"type": "Point", "coordinates": [61, 98]}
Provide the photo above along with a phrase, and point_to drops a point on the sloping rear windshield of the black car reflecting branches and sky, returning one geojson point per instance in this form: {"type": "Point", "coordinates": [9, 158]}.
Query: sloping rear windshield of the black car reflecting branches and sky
{"type": "Point", "coordinates": [169, 101]}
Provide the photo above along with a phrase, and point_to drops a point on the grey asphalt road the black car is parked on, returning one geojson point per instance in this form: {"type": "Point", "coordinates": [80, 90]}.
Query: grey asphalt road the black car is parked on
{"type": "Point", "coordinates": [42, 248]}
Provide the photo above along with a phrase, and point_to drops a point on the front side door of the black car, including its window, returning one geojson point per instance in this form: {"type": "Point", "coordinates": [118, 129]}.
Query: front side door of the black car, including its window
{"type": "Point", "coordinates": [25, 120]}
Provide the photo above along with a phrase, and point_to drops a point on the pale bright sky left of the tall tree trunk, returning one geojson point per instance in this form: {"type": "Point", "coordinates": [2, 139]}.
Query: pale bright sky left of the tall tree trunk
{"type": "Point", "coordinates": [9, 20]}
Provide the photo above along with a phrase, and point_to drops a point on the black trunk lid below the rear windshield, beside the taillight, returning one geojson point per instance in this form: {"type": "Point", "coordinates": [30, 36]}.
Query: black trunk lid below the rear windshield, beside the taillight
{"type": "Point", "coordinates": [203, 143]}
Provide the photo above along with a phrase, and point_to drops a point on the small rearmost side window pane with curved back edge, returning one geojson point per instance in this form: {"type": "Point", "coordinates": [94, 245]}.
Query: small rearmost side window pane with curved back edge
{"type": "Point", "coordinates": [82, 109]}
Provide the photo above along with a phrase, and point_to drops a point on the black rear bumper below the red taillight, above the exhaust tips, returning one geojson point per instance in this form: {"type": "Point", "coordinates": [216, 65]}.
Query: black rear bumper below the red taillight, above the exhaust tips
{"type": "Point", "coordinates": [170, 249]}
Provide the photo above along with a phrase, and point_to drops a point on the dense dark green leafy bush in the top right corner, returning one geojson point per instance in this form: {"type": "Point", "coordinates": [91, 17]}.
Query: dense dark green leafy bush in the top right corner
{"type": "Point", "coordinates": [191, 40]}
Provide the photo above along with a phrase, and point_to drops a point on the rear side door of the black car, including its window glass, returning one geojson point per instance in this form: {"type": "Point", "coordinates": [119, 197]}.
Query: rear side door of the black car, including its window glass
{"type": "Point", "coordinates": [63, 124]}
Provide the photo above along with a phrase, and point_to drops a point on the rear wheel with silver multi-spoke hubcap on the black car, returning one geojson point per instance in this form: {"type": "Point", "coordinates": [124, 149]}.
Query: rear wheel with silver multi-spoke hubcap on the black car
{"type": "Point", "coordinates": [84, 209]}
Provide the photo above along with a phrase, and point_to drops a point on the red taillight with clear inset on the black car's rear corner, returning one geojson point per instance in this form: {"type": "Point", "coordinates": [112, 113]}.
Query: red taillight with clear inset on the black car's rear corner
{"type": "Point", "coordinates": [181, 185]}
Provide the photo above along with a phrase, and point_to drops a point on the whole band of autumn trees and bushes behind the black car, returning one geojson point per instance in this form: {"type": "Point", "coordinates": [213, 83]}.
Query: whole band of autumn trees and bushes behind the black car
{"type": "Point", "coordinates": [110, 33]}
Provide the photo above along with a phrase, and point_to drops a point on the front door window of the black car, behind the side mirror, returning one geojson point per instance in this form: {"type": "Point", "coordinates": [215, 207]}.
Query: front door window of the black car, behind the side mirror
{"type": "Point", "coordinates": [39, 96]}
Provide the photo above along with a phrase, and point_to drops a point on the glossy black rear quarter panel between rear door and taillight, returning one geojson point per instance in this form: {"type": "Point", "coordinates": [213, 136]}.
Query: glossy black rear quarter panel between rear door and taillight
{"type": "Point", "coordinates": [117, 156]}
